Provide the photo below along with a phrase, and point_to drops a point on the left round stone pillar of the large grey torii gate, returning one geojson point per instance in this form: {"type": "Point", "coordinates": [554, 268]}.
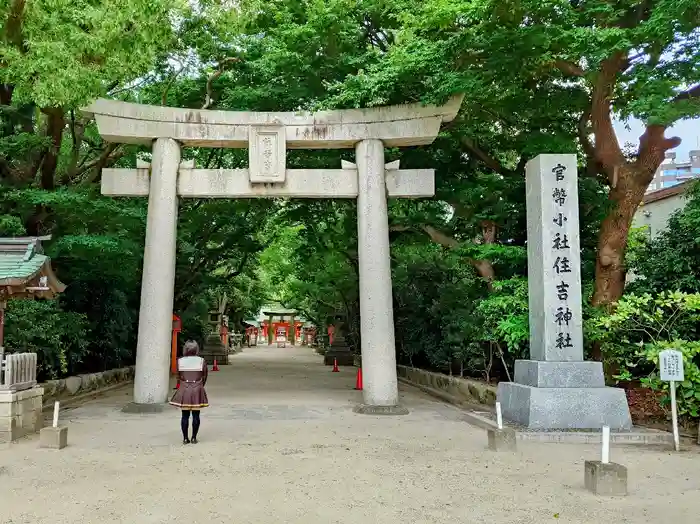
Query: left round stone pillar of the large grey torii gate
{"type": "Point", "coordinates": [152, 379]}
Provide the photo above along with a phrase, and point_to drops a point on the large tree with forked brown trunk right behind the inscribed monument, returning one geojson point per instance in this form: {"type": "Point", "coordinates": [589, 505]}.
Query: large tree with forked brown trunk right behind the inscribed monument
{"type": "Point", "coordinates": [577, 65]}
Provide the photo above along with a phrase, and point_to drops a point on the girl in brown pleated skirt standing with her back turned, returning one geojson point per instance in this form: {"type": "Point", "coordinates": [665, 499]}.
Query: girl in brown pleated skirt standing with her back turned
{"type": "Point", "coordinates": [190, 395]}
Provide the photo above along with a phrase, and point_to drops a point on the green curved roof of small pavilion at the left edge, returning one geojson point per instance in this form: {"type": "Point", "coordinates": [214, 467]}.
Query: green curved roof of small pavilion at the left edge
{"type": "Point", "coordinates": [22, 263]}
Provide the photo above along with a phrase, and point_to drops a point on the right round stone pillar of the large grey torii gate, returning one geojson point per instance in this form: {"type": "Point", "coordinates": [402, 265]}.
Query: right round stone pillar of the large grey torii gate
{"type": "Point", "coordinates": [381, 393]}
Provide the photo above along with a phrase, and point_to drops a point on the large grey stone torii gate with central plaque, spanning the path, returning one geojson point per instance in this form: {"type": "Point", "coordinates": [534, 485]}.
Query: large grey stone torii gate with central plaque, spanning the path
{"type": "Point", "coordinates": [267, 137]}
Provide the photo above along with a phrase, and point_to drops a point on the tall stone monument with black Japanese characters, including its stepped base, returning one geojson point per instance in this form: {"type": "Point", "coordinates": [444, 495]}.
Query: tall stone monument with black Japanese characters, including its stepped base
{"type": "Point", "coordinates": [556, 388]}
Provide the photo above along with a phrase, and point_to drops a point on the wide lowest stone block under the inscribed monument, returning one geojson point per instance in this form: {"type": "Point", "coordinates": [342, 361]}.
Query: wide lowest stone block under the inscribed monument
{"type": "Point", "coordinates": [564, 408]}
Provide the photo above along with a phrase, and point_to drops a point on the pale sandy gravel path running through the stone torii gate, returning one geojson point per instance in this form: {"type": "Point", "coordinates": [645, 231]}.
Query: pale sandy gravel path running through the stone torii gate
{"type": "Point", "coordinates": [281, 445]}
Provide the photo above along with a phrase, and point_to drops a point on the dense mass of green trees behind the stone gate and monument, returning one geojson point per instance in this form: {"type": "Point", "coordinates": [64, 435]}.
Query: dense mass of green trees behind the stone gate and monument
{"type": "Point", "coordinates": [538, 77]}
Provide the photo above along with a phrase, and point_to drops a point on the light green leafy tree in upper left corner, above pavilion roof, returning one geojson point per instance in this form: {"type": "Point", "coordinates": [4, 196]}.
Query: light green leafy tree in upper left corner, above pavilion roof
{"type": "Point", "coordinates": [57, 56]}
